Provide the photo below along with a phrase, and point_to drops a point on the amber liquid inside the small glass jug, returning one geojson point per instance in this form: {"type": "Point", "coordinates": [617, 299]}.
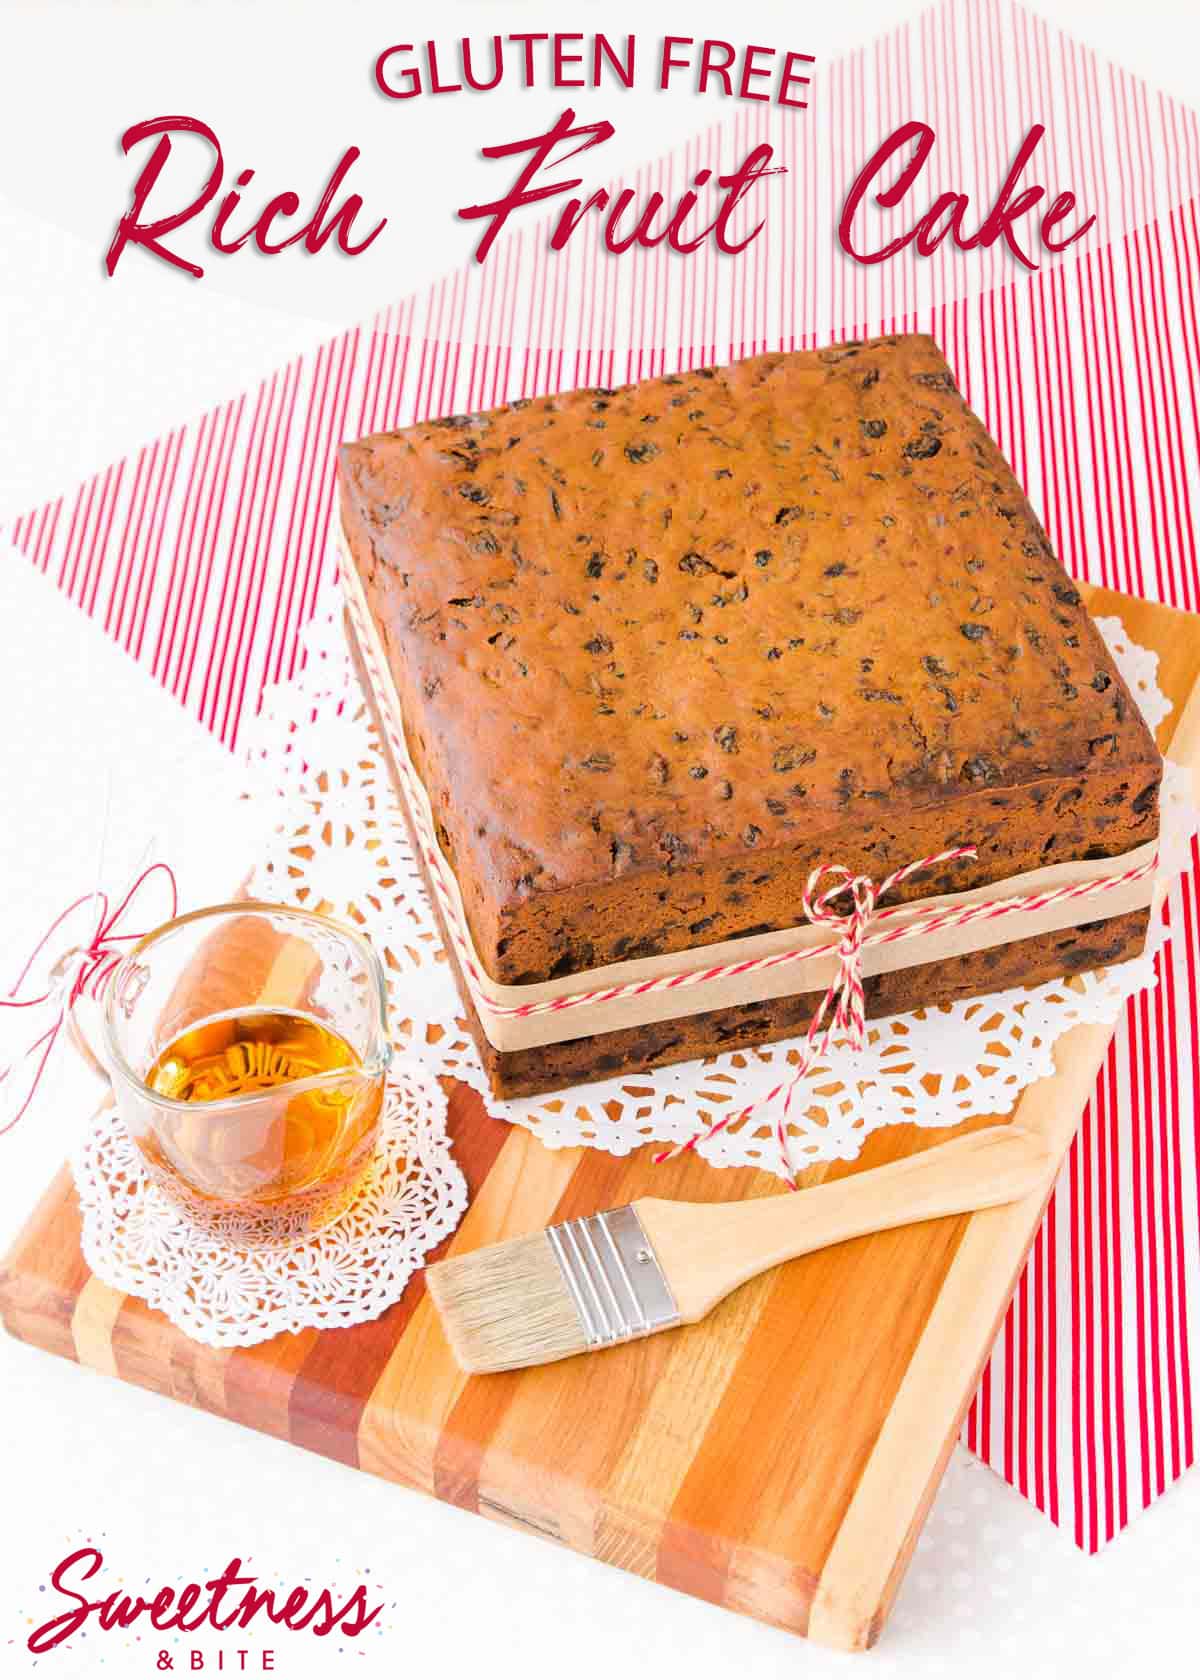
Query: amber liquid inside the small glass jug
{"type": "Point", "coordinates": [298, 1157]}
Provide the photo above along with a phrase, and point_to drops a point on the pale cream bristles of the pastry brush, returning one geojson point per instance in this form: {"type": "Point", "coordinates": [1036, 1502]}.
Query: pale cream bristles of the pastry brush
{"type": "Point", "coordinates": [507, 1306]}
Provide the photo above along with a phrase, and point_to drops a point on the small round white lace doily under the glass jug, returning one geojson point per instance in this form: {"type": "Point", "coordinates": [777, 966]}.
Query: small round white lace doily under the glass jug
{"type": "Point", "coordinates": [229, 1294]}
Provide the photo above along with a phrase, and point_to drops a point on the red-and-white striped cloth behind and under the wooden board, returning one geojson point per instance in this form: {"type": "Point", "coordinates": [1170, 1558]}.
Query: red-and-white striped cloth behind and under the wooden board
{"type": "Point", "coordinates": [204, 555]}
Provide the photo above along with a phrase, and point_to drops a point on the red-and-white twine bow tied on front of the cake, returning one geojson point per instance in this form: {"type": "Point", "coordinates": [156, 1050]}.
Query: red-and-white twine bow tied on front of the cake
{"type": "Point", "coordinates": [843, 1007]}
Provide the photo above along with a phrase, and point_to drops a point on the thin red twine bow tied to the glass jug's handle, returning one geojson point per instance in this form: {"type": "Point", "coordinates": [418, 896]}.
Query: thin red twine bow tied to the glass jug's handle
{"type": "Point", "coordinates": [82, 972]}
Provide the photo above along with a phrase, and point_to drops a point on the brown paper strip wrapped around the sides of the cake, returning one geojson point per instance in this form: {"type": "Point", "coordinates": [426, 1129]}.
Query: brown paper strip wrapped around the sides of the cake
{"type": "Point", "coordinates": [586, 1021]}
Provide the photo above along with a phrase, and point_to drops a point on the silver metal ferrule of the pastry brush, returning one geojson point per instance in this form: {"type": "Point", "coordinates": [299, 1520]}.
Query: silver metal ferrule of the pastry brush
{"type": "Point", "coordinates": [616, 1281]}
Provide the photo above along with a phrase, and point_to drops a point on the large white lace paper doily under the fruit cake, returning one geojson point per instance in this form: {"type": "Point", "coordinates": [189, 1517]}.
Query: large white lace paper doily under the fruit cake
{"type": "Point", "coordinates": [337, 836]}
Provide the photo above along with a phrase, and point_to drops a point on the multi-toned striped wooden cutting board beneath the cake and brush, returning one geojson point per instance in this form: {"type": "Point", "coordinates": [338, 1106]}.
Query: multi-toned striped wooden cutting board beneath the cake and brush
{"type": "Point", "coordinates": [777, 1459]}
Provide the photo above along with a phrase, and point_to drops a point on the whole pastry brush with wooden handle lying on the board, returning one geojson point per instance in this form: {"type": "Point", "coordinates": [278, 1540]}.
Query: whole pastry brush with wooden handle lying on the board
{"type": "Point", "coordinates": [619, 1276]}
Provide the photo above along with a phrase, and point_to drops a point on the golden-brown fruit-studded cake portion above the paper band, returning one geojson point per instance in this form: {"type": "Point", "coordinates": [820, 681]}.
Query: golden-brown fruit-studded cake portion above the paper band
{"type": "Point", "coordinates": [665, 649]}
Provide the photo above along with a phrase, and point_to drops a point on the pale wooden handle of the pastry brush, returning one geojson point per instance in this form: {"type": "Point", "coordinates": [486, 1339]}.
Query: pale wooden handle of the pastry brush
{"type": "Point", "coordinates": [710, 1249]}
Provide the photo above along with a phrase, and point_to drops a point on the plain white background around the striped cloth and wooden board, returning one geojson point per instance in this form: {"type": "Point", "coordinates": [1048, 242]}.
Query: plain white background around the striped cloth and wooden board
{"type": "Point", "coordinates": [93, 367]}
